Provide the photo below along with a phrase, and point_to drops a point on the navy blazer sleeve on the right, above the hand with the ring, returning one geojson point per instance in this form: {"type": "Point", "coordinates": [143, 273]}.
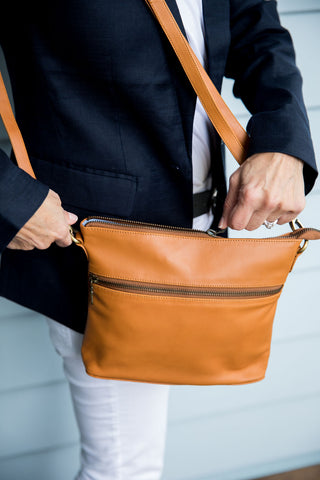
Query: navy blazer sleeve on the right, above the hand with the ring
{"type": "Point", "coordinates": [261, 60]}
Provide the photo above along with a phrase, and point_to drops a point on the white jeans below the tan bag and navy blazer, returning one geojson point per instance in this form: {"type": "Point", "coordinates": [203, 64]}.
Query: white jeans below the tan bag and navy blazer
{"type": "Point", "coordinates": [122, 424]}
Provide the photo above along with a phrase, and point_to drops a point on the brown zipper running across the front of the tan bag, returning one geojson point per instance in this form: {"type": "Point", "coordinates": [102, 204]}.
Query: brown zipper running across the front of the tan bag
{"type": "Point", "coordinates": [179, 291]}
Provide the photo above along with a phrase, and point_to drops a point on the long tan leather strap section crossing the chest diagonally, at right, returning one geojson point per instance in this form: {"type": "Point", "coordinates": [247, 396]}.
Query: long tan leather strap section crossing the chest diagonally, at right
{"type": "Point", "coordinates": [228, 127]}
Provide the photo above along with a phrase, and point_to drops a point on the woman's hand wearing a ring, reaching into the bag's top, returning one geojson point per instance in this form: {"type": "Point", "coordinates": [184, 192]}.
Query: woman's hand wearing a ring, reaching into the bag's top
{"type": "Point", "coordinates": [267, 186]}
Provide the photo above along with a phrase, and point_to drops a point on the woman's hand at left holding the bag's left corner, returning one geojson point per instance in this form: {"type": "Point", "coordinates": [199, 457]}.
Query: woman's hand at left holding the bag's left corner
{"type": "Point", "coordinates": [49, 224]}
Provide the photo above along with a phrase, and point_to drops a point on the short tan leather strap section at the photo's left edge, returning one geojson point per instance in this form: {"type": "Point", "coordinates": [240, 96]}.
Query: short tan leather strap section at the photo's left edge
{"type": "Point", "coordinates": [13, 131]}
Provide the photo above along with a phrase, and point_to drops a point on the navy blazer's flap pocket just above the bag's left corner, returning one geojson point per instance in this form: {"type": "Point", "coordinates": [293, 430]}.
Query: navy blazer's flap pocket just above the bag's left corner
{"type": "Point", "coordinates": [89, 191]}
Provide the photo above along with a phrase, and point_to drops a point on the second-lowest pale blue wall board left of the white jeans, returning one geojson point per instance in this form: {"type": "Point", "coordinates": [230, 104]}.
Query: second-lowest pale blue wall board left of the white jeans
{"type": "Point", "coordinates": [36, 419]}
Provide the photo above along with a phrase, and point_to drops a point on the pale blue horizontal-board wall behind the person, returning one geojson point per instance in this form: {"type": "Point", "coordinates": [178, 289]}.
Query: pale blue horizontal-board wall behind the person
{"type": "Point", "coordinates": [215, 433]}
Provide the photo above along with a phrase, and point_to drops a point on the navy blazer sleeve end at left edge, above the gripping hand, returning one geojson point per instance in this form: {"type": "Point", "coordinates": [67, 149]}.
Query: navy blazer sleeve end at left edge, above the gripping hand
{"type": "Point", "coordinates": [20, 197]}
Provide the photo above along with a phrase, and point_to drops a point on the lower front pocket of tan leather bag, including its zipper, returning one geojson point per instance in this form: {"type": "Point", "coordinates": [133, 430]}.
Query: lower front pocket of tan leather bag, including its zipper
{"type": "Point", "coordinates": [178, 334]}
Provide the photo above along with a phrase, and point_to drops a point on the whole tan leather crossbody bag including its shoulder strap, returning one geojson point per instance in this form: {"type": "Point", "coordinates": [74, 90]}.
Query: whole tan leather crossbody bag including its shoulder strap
{"type": "Point", "coordinates": [174, 305]}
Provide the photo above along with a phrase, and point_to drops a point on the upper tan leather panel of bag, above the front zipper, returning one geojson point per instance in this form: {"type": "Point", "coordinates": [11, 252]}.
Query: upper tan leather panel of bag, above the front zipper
{"type": "Point", "coordinates": [186, 258]}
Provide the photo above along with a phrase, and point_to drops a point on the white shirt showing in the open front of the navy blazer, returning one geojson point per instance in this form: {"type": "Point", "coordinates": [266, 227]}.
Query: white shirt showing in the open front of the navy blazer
{"type": "Point", "coordinates": [192, 17]}
